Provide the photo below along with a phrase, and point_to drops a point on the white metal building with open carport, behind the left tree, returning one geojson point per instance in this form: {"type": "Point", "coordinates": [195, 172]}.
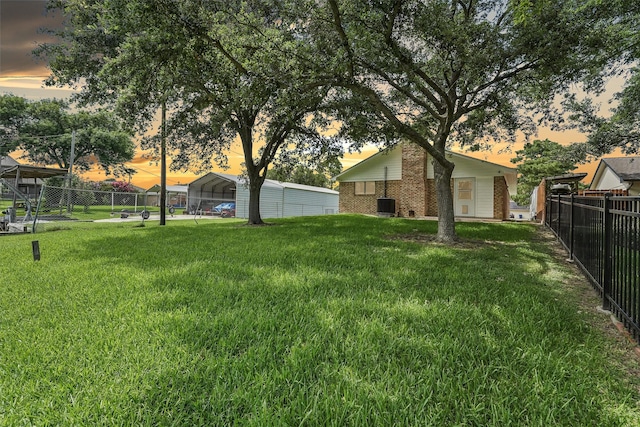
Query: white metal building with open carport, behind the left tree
{"type": "Point", "coordinates": [277, 199]}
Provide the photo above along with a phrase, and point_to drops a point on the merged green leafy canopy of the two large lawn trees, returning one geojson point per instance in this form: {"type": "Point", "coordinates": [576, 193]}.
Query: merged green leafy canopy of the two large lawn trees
{"type": "Point", "coordinates": [432, 72]}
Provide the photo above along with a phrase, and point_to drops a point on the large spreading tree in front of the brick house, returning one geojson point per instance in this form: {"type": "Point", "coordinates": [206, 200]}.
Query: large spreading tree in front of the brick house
{"type": "Point", "coordinates": [469, 71]}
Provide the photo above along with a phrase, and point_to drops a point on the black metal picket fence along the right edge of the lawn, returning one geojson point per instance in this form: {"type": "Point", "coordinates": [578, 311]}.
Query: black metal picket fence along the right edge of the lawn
{"type": "Point", "coordinates": [602, 236]}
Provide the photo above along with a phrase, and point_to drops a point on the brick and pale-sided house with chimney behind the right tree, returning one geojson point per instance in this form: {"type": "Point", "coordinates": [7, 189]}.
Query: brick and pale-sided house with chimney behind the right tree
{"type": "Point", "coordinates": [481, 189]}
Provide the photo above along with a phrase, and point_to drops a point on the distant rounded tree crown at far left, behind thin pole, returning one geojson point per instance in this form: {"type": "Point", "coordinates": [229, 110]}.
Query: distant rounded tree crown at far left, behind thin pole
{"type": "Point", "coordinates": [43, 130]}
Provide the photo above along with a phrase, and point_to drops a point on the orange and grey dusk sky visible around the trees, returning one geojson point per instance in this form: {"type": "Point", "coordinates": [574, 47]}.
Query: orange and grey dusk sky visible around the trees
{"type": "Point", "coordinates": [21, 24]}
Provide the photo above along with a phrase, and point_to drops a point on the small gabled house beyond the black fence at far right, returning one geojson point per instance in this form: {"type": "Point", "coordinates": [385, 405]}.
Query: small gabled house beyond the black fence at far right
{"type": "Point", "coordinates": [617, 173]}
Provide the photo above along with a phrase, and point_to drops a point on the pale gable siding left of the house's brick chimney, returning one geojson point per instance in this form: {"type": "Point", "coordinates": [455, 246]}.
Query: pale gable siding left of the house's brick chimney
{"type": "Point", "coordinates": [372, 169]}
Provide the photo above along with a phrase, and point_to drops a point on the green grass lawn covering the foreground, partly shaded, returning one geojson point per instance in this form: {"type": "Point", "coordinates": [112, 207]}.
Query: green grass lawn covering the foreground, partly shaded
{"type": "Point", "coordinates": [335, 320]}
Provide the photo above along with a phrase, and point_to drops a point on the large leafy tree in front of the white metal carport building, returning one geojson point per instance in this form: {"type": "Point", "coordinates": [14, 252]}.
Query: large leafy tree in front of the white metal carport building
{"type": "Point", "coordinates": [227, 71]}
